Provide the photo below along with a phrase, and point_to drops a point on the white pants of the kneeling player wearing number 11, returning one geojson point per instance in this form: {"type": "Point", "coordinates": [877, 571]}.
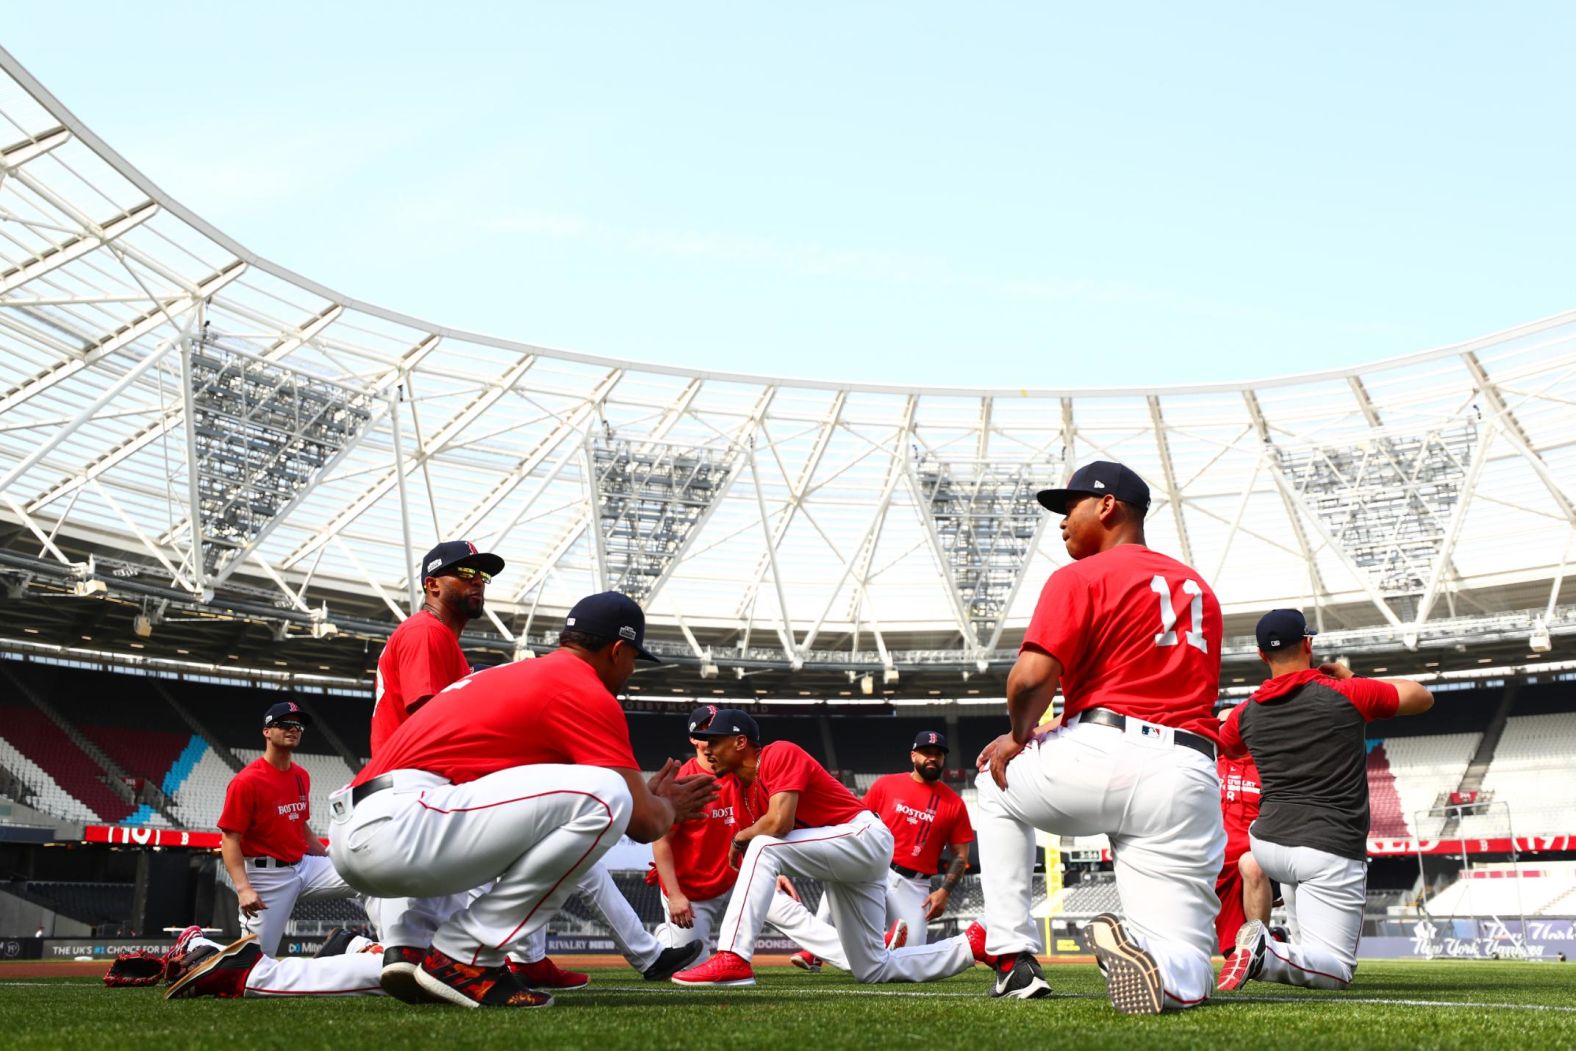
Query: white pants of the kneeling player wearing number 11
{"type": "Point", "coordinates": [1158, 801]}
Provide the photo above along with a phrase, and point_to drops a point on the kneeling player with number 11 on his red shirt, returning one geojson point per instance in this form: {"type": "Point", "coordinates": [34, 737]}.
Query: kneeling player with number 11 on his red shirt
{"type": "Point", "coordinates": [1134, 641]}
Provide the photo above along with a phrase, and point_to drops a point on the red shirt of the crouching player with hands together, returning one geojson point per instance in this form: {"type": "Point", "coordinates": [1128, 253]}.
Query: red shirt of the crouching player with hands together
{"type": "Point", "coordinates": [551, 710]}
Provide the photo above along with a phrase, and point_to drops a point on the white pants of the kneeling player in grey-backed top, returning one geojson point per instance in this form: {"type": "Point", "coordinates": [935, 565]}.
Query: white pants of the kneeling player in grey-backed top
{"type": "Point", "coordinates": [1325, 901]}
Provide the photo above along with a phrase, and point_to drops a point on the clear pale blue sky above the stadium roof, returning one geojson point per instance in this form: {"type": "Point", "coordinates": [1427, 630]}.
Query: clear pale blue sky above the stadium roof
{"type": "Point", "coordinates": [1043, 195]}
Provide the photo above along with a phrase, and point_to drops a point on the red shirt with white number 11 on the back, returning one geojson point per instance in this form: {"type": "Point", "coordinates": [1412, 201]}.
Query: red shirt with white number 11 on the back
{"type": "Point", "coordinates": [1137, 633]}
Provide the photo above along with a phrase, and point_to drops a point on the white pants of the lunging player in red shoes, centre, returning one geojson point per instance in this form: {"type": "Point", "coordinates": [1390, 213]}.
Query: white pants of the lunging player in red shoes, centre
{"type": "Point", "coordinates": [852, 863]}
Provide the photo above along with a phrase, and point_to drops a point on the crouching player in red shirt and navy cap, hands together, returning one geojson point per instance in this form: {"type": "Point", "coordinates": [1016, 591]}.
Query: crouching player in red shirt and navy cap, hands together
{"type": "Point", "coordinates": [521, 774]}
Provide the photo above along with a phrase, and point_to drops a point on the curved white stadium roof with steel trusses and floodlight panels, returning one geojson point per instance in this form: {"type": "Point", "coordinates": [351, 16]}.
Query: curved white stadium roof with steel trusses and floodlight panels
{"type": "Point", "coordinates": [201, 433]}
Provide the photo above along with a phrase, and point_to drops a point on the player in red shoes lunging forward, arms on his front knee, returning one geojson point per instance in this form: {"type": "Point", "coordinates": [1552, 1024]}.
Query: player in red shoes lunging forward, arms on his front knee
{"type": "Point", "coordinates": [805, 822]}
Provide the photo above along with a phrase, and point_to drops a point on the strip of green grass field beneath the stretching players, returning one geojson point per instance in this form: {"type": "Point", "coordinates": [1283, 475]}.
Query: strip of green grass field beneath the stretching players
{"type": "Point", "coordinates": [1470, 1005]}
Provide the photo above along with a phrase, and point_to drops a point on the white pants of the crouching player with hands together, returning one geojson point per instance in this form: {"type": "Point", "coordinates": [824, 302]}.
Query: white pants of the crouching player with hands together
{"type": "Point", "coordinates": [533, 830]}
